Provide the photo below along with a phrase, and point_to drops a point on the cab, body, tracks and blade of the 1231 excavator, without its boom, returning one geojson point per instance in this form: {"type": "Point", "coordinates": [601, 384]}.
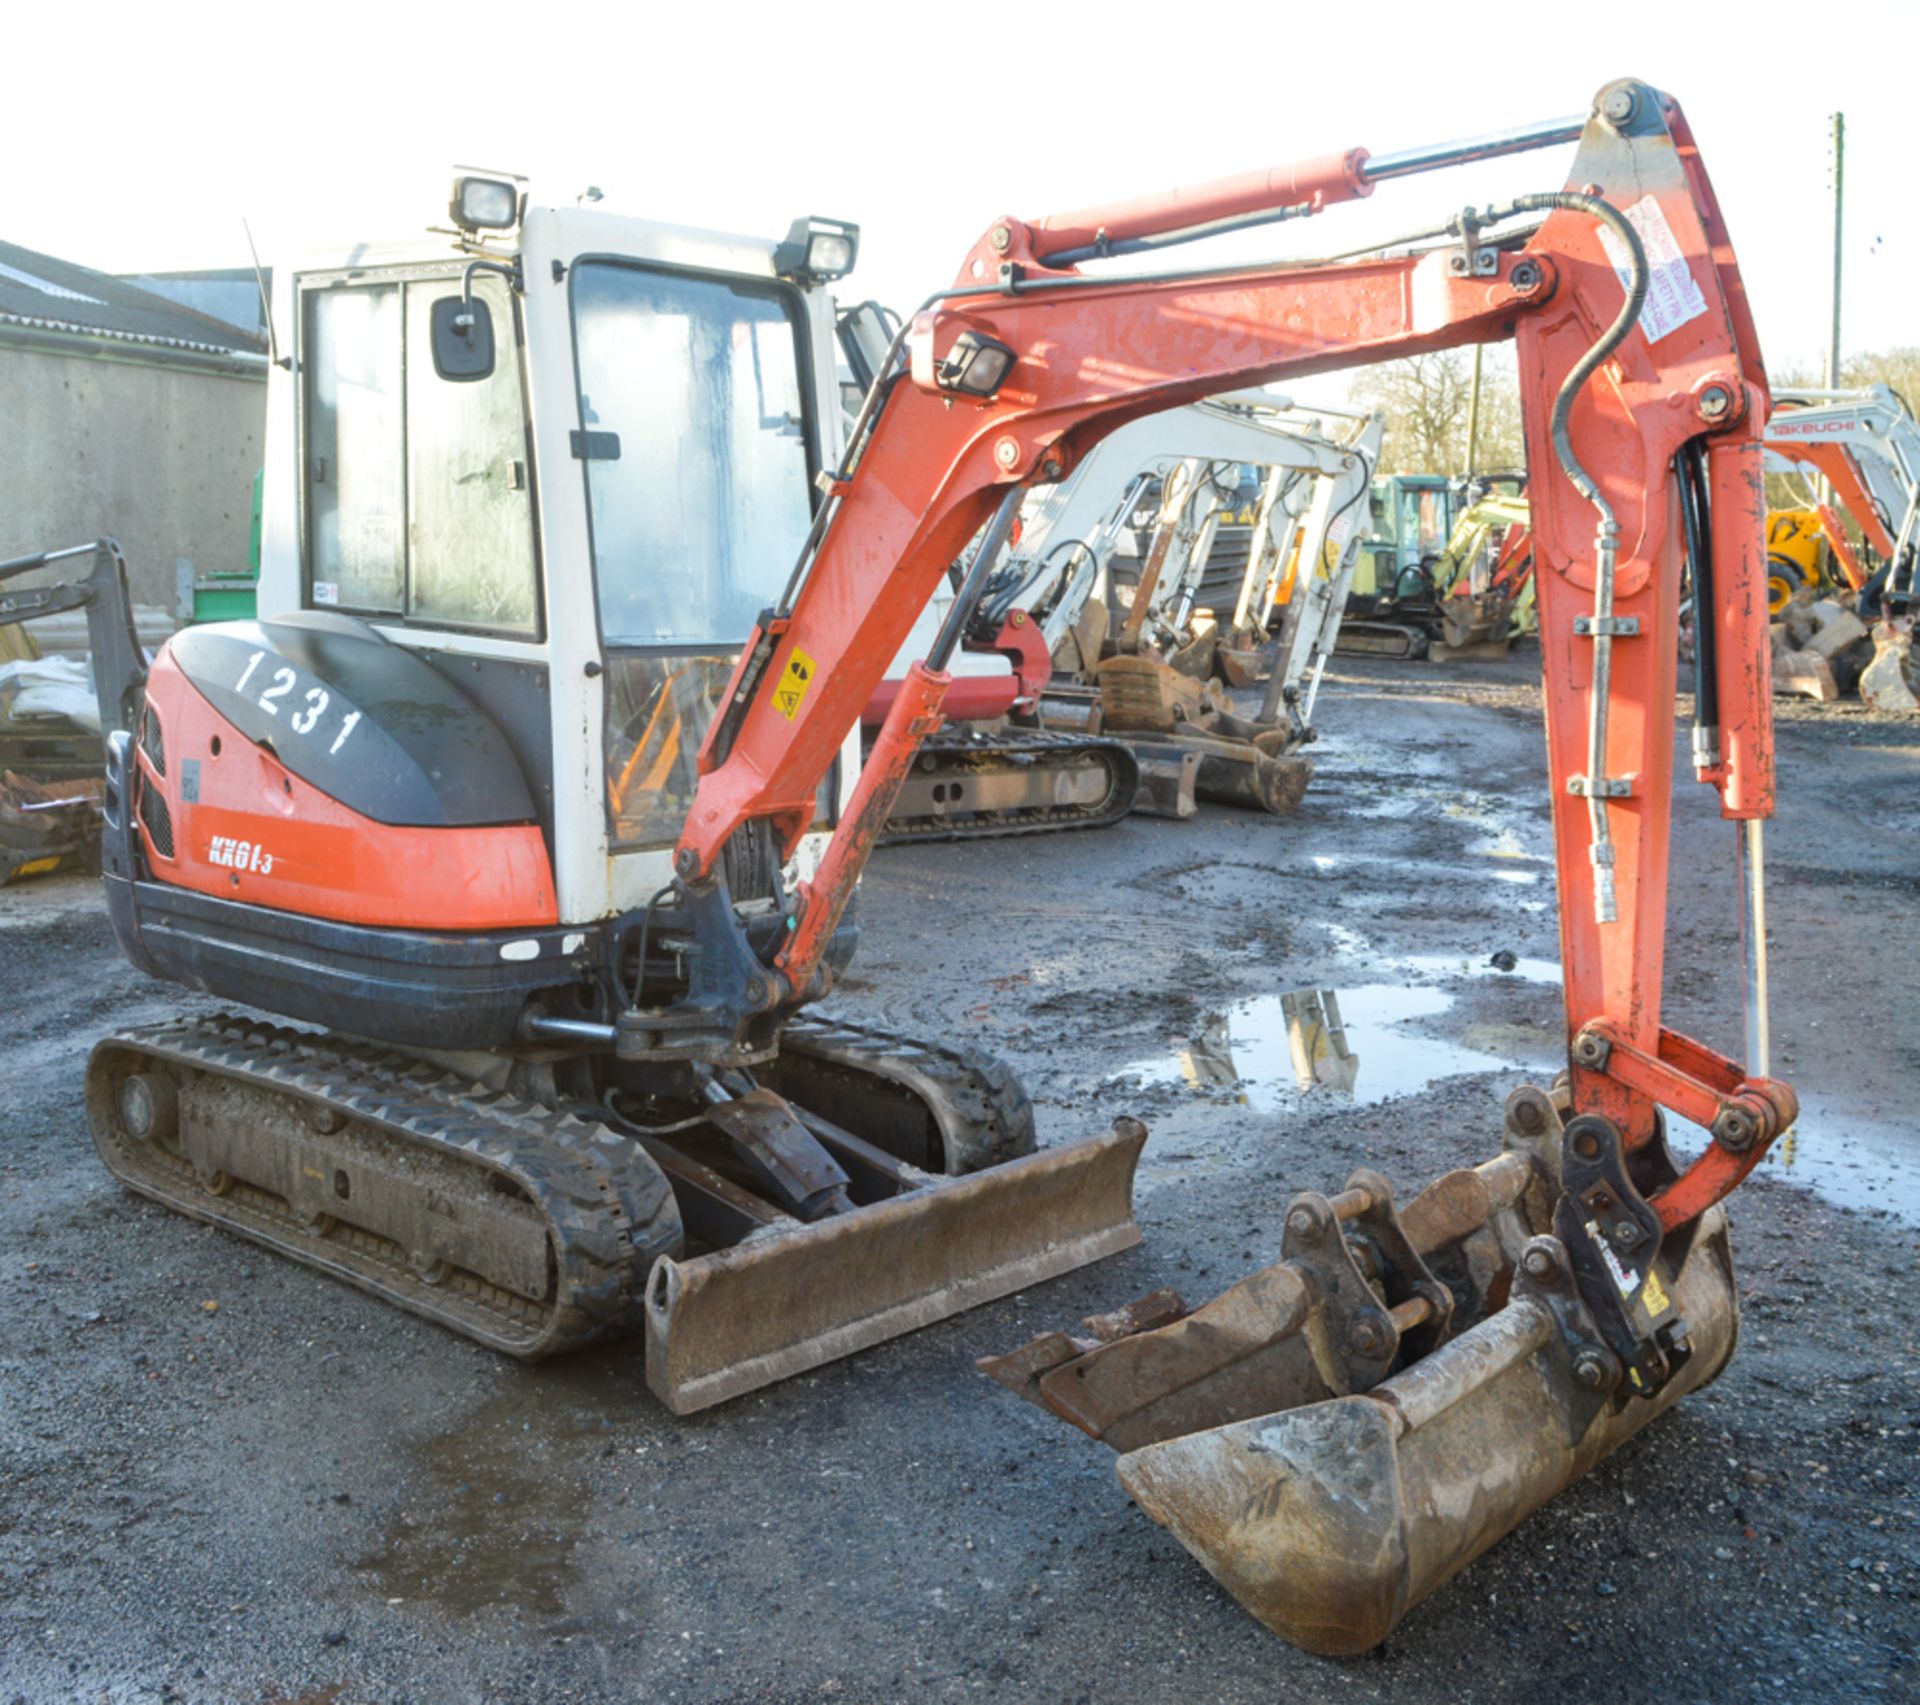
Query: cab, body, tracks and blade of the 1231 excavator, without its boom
{"type": "Point", "coordinates": [531, 487]}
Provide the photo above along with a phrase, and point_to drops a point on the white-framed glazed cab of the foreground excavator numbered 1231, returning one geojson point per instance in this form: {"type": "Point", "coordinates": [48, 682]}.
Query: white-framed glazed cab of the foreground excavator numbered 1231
{"type": "Point", "coordinates": [588, 523]}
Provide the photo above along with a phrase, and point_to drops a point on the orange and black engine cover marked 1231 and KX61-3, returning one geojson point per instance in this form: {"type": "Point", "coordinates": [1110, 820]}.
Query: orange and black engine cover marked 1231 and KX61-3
{"type": "Point", "coordinates": [312, 767]}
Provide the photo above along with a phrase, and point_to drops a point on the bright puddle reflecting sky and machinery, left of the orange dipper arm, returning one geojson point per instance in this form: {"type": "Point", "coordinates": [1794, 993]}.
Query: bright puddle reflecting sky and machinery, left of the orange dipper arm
{"type": "Point", "coordinates": [1353, 1044]}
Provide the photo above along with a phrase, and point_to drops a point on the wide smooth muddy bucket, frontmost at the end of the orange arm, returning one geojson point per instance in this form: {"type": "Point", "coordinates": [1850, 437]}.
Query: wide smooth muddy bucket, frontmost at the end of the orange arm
{"type": "Point", "coordinates": [1332, 1522]}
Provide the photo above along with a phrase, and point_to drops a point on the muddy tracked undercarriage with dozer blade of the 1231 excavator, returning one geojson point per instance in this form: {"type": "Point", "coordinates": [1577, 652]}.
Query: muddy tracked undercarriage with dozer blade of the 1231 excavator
{"type": "Point", "coordinates": [748, 1243]}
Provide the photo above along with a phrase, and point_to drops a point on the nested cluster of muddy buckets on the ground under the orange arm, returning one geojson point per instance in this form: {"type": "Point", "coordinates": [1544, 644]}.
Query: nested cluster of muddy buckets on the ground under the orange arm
{"type": "Point", "coordinates": [1347, 1429]}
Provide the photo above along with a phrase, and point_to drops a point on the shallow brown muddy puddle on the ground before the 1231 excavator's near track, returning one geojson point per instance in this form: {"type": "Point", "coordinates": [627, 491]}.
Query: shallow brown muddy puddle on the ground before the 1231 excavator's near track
{"type": "Point", "coordinates": [492, 1512]}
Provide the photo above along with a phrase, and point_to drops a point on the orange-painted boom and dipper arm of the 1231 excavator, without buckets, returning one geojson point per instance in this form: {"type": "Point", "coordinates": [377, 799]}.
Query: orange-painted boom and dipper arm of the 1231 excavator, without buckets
{"type": "Point", "coordinates": [1610, 406]}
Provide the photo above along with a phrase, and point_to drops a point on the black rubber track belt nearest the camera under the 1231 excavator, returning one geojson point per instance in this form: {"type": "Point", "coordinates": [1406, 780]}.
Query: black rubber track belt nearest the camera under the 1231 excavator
{"type": "Point", "coordinates": [608, 1207]}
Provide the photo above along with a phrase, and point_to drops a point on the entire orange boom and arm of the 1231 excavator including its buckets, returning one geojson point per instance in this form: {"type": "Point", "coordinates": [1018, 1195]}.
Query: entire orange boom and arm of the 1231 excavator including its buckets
{"type": "Point", "coordinates": [1345, 1429]}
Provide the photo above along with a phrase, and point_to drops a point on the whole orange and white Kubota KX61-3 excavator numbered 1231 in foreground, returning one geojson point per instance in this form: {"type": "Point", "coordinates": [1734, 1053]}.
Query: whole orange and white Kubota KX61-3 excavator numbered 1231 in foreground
{"type": "Point", "coordinates": [1339, 1433]}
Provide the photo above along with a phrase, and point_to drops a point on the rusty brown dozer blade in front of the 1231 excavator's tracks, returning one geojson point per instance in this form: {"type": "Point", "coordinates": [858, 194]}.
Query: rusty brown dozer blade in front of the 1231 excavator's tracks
{"type": "Point", "coordinates": [788, 1301]}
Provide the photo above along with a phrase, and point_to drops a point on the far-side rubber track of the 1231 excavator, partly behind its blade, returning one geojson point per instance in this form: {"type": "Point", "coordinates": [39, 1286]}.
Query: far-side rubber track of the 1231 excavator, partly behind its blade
{"type": "Point", "coordinates": [982, 1105]}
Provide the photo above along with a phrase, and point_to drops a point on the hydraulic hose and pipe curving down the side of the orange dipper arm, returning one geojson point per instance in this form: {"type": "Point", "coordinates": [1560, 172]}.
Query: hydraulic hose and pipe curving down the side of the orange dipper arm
{"type": "Point", "coordinates": [1608, 535]}
